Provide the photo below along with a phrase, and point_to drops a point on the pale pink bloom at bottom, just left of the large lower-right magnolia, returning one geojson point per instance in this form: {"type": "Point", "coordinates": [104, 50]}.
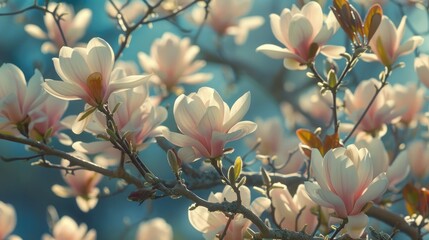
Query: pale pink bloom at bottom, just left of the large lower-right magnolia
{"type": "Point", "coordinates": [295, 213]}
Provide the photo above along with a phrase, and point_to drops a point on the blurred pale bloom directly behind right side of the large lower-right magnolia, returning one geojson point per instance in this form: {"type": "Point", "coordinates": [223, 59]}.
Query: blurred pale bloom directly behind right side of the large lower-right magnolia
{"type": "Point", "coordinates": [396, 171]}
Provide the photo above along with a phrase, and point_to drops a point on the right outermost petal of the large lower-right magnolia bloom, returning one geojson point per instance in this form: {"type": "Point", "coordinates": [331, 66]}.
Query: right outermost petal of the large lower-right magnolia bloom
{"type": "Point", "coordinates": [375, 190]}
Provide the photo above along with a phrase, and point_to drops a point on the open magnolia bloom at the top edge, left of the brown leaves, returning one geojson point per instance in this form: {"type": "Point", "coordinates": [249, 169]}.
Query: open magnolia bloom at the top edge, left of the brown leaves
{"type": "Point", "coordinates": [303, 33]}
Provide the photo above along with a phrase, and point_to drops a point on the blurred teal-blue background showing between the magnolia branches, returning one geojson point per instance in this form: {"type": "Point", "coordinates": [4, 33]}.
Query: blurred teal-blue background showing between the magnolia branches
{"type": "Point", "coordinates": [28, 188]}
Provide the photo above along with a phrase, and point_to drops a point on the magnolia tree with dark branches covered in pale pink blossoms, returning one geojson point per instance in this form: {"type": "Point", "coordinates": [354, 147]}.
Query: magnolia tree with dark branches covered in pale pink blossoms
{"type": "Point", "coordinates": [355, 153]}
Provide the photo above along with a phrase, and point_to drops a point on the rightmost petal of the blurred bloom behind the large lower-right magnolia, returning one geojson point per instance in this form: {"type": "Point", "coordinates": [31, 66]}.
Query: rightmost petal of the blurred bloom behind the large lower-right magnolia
{"type": "Point", "coordinates": [399, 169]}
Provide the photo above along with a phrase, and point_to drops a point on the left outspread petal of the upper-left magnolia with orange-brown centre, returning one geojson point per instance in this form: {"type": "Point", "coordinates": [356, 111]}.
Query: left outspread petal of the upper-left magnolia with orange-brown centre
{"type": "Point", "coordinates": [63, 90]}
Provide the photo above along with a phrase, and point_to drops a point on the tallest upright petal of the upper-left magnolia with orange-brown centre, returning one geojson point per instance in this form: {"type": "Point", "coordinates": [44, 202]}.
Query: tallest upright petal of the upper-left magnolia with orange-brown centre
{"type": "Point", "coordinates": [100, 57]}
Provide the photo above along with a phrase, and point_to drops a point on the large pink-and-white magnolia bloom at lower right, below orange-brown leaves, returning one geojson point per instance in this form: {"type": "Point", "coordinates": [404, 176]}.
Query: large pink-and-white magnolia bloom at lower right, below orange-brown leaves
{"type": "Point", "coordinates": [346, 183]}
